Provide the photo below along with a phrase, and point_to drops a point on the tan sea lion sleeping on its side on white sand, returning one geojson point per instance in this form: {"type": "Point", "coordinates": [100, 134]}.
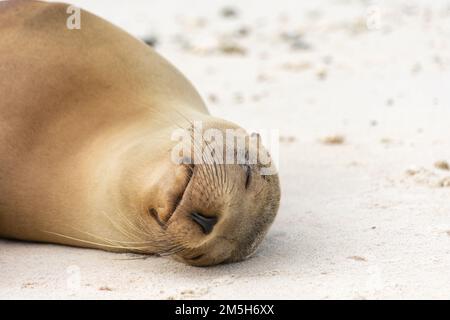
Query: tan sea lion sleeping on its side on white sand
{"type": "Point", "coordinates": [86, 119]}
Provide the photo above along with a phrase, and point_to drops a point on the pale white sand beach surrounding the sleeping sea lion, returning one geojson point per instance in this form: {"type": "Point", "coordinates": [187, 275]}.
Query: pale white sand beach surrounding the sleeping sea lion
{"type": "Point", "coordinates": [363, 219]}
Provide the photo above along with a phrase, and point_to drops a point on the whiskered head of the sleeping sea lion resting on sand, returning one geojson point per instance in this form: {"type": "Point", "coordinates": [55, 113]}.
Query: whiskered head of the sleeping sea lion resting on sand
{"type": "Point", "coordinates": [216, 211]}
